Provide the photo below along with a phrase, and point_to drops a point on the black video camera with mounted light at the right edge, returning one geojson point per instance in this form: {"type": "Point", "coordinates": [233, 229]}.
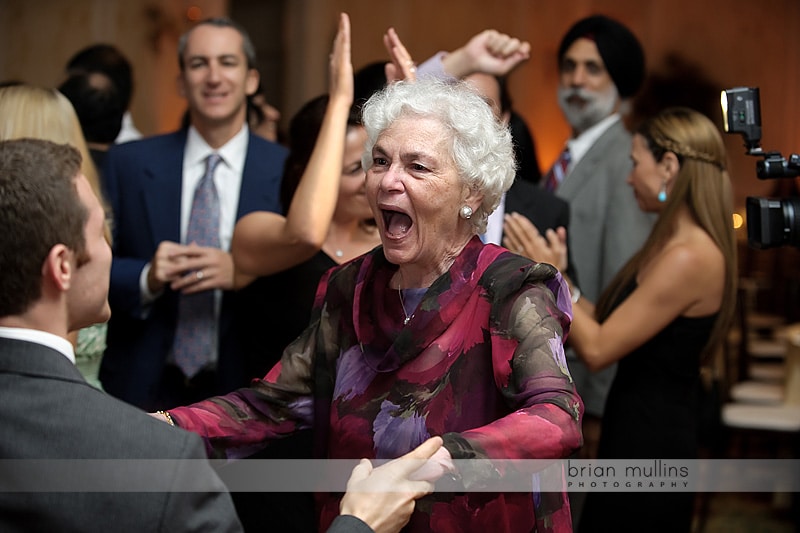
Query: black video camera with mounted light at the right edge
{"type": "Point", "coordinates": [771, 222]}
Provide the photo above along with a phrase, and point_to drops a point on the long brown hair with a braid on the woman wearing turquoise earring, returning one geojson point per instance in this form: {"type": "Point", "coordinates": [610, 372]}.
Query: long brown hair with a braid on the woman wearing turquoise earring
{"type": "Point", "coordinates": [703, 186]}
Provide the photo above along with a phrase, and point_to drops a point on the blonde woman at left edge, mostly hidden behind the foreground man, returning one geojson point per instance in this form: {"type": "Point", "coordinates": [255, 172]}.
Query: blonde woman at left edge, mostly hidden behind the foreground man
{"type": "Point", "coordinates": [28, 111]}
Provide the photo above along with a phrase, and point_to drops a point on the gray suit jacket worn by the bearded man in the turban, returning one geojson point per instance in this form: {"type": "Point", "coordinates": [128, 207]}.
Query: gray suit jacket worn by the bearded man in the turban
{"type": "Point", "coordinates": [606, 228]}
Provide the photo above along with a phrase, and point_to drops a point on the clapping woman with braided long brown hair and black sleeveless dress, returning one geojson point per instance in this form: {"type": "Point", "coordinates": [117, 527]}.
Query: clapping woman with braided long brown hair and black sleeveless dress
{"type": "Point", "coordinates": [667, 309]}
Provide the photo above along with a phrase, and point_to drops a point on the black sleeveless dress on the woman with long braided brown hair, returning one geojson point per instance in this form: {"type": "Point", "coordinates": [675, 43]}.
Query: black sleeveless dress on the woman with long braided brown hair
{"type": "Point", "coordinates": [652, 412]}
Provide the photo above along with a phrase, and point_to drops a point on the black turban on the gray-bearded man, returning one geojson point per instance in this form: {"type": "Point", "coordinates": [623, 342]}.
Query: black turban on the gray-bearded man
{"type": "Point", "coordinates": [621, 51]}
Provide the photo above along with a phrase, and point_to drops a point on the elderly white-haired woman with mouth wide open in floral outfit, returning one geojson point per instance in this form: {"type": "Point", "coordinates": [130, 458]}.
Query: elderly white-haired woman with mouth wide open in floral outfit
{"type": "Point", "coordinates": [432, 333]}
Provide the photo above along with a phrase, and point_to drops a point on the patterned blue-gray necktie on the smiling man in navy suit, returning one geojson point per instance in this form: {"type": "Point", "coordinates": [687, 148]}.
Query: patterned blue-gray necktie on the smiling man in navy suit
{"type": "Point", "coordinates": [195, 334]}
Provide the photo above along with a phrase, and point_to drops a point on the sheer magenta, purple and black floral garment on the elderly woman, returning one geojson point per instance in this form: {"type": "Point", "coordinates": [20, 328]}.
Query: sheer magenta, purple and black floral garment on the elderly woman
{"type": "Point", "coordinates": [480, 362]}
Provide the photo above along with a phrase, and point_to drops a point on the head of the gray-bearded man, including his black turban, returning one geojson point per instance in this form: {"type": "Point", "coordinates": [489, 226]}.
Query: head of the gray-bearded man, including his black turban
{"type": "Point", "coordinates": [601, 63]}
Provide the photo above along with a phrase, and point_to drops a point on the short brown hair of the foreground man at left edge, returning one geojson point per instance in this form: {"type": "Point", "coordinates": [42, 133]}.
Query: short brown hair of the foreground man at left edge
{"type": "Point", "coordinates": [39, 208]}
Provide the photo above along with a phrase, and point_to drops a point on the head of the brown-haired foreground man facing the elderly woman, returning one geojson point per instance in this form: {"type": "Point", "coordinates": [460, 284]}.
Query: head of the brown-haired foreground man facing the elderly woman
{"type": "Point", "coordinates": [51, 243]}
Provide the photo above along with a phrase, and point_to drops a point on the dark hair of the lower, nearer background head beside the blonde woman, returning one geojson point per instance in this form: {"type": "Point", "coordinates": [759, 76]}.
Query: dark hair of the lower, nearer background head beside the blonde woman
{"type": "Point", "coordinates": [97, 103]}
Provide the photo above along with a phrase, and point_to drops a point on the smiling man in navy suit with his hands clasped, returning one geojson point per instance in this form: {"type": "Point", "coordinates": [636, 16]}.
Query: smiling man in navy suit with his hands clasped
{"type": "Point", "coordinates": [150, 186]}
